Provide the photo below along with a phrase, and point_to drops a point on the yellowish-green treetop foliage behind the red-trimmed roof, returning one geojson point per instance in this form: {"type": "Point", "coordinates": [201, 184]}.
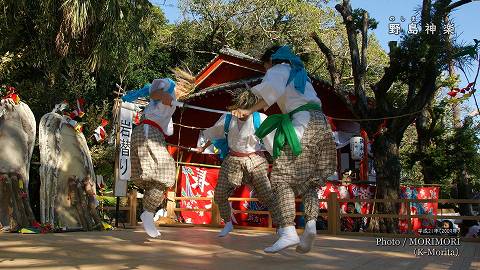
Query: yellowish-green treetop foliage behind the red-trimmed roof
{"type": "Point", "coordinates": [253, 26]}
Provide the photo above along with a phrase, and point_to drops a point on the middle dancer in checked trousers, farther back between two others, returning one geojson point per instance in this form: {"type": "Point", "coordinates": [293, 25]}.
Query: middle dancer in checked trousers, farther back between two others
{"type": "Point", "coordinates": [245, 162]}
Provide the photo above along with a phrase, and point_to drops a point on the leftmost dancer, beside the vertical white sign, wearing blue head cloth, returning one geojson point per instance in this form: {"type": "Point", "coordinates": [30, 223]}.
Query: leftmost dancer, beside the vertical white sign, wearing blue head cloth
{"type": "Point", "coordinates": [153, 169]}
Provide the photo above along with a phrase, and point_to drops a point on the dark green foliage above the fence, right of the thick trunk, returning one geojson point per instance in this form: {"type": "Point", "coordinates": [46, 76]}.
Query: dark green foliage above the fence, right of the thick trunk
{"type": "Point", "coordinates": [450, 151]}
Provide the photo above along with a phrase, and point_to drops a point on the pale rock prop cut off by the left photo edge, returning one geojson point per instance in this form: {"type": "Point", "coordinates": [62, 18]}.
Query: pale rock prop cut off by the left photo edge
{"type": "Point", "coordinates": [17, 140]}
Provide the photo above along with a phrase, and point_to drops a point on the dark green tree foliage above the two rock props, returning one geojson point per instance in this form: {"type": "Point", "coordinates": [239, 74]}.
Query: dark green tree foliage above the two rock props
{"type": "Point", "coordinates": [63, 50]}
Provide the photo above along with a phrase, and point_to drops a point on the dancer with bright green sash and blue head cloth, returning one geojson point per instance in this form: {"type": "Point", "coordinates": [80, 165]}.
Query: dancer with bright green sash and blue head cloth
{"type": "Point", "coordinates": [303, 149]}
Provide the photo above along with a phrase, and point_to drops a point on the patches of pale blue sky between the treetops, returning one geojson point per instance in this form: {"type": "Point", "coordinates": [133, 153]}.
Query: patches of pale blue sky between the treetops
{"type": "Point", "coordinates": [465, 20]}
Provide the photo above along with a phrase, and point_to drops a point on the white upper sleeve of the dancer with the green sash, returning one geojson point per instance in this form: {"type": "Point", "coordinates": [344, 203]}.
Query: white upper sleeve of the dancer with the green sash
{"type": "Point", "coordinates": [273, 85]}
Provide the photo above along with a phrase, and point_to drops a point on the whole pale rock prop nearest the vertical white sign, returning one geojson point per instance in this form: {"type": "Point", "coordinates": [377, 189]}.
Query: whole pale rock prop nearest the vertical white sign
{"type": "Point", "coordinates": [67, 192]}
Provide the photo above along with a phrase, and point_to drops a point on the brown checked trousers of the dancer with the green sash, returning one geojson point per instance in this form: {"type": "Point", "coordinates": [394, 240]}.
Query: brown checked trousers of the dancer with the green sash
{"type": "Point", "coordinates": [302, 175]}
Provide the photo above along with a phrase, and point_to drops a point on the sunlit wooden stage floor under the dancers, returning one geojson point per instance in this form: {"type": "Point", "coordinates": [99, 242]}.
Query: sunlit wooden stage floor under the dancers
{"type": "Point", "coordinates": [199, 248]}
